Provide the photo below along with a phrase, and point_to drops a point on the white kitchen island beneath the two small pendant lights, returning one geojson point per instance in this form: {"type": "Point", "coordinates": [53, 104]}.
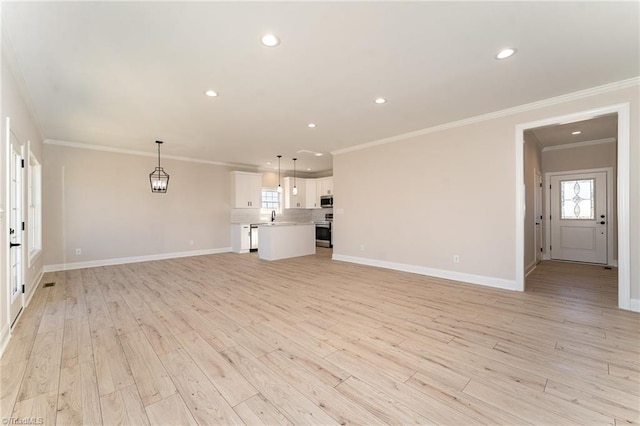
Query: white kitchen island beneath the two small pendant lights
{"type": "Point", "coordinates": [282, 240]}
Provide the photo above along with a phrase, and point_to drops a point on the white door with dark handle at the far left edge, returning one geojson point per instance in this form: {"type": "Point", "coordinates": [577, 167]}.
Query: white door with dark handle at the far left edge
{"type": "Point", "coordinates": [16, 299]}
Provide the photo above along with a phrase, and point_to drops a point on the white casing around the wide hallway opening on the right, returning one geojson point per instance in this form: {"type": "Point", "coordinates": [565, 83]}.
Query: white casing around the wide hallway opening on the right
{"type": "Point", "coordinates": [623, 193]}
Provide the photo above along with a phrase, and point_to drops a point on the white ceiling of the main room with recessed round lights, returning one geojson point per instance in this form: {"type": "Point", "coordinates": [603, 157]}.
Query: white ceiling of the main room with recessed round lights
{"type": "Point", "coordinates": [126, 74]}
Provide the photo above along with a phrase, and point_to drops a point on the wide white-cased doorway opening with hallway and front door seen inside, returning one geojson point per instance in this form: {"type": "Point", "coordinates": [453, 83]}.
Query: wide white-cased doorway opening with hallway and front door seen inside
{"type": "Point", "coordinates": [579, 188]}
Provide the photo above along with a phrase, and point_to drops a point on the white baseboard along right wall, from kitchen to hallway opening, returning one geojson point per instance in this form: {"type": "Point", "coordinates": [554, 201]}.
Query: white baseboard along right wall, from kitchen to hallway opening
{"type": "Point", "coordinates": [439, 273]}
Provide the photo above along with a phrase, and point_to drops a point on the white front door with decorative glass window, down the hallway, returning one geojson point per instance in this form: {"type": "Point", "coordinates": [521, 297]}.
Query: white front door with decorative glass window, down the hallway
{"type": "Point", "coordinates": [579, 217]}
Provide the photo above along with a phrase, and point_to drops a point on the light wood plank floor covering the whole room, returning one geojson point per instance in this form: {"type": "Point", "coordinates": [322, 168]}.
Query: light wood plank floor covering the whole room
{"type": "Point", "coordinates": [230, 339]}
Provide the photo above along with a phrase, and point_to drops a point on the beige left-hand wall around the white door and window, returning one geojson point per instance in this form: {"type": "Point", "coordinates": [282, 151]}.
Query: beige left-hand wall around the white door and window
{"type": "Point", "coordinates": [26, 130]}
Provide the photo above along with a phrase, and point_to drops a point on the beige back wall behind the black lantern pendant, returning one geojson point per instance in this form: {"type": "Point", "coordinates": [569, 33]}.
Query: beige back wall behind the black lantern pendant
{"type": "Point", "coordinates": [101, 203]}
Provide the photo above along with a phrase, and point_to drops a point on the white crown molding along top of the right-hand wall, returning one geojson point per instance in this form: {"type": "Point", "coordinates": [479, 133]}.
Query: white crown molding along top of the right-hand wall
{"type": "Point", "coordinates": [498, 114]}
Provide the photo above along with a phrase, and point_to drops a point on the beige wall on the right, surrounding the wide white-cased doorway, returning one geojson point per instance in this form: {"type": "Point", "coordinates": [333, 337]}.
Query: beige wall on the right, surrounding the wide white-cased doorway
{"type": "Point", "coordinates": [417, 201]}
